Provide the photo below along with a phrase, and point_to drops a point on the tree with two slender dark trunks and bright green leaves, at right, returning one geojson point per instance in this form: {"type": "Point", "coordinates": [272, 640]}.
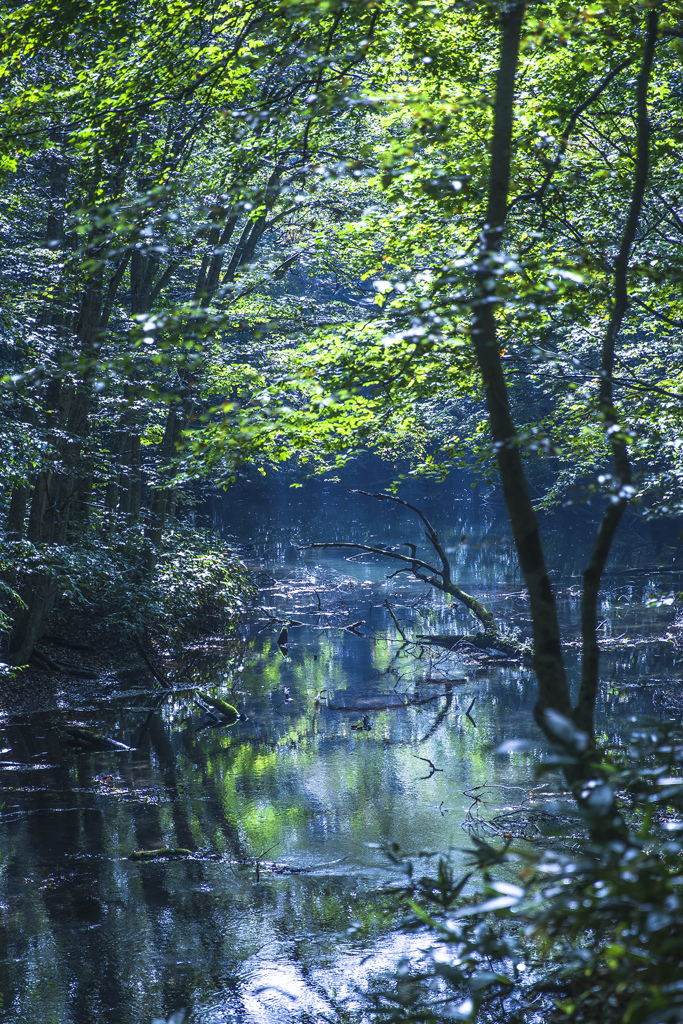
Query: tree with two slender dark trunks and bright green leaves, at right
{"type": "Point", "coordinates": [519, 237]}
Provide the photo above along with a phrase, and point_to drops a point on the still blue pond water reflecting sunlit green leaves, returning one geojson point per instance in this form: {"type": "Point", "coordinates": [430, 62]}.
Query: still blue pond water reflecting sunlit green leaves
{"type": "Point", "coordinates": [354, 741]}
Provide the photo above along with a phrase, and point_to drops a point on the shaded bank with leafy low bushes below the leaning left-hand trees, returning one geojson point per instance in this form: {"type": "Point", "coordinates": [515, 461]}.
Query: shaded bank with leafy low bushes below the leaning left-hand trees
{"type": "Point", "coordinates": [108, 607]}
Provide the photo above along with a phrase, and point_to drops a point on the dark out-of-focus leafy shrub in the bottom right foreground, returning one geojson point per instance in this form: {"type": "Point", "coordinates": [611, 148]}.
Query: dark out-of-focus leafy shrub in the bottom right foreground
{"type": "Point", "coordinates": [586, 931]}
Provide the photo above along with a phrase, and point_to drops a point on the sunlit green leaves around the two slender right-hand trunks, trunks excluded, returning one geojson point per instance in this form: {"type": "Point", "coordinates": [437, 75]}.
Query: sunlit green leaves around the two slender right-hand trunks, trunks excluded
{"type": "Point", "coordinates": [575, 149]}
